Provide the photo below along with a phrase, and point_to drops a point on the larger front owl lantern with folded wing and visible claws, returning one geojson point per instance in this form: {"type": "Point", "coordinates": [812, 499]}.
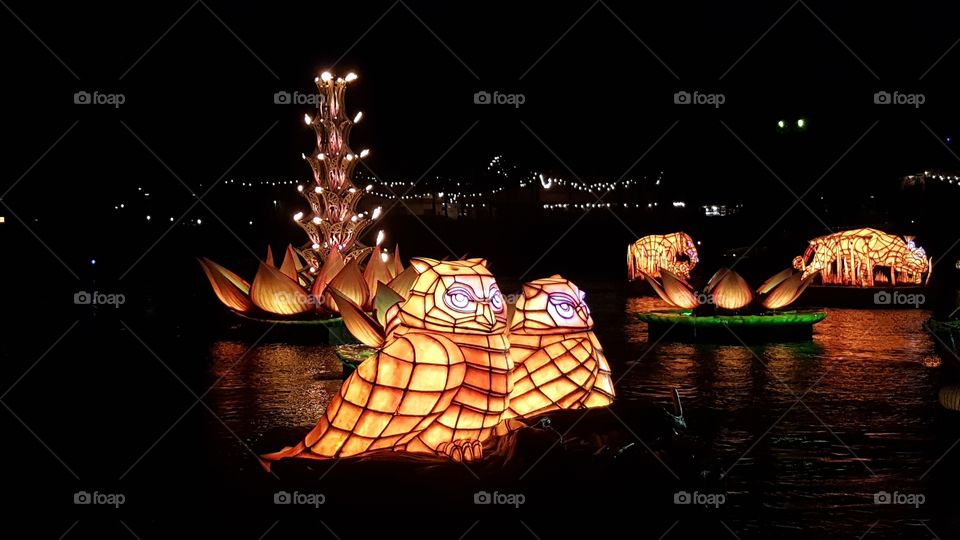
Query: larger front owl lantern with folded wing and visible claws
{"type": "Point", "coordinates": [440, 380]}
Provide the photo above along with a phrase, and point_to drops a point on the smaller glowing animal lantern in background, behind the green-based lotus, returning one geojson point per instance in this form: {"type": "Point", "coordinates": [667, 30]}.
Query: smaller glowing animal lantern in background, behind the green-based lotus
{"type": "Point", "coordinates": [674, 252]}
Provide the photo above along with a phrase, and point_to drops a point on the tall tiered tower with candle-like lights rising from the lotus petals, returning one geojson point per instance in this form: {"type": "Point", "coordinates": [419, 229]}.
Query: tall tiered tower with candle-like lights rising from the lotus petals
{"type": "Point", "coordinates": [333, 222]}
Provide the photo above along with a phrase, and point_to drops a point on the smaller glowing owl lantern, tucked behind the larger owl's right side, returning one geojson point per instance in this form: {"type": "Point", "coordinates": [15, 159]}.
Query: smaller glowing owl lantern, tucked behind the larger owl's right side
{"type": "Point", "coordinates": [559, 362]}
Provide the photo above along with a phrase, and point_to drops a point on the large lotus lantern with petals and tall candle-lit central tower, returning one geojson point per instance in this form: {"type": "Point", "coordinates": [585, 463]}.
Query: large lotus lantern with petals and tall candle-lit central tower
{"type": "Point", "coordinates": [333, 253]}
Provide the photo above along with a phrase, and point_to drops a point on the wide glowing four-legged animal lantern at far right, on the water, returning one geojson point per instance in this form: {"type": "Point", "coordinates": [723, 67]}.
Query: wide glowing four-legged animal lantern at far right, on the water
{"type": "Point", "coordinates": [863, 258]}
